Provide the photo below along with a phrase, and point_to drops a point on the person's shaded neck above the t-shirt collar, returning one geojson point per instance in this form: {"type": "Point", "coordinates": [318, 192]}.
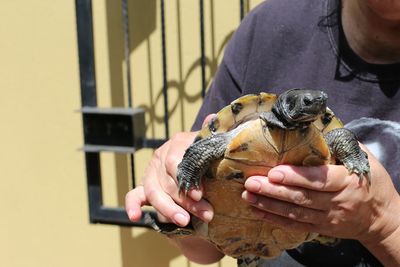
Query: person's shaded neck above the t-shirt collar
{"type": "Point", "coordinates": [371, 36]}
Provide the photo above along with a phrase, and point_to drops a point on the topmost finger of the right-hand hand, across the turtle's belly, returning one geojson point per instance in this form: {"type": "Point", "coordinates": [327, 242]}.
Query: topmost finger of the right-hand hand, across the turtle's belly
{"type": "Point", "coordinates": [328, 178]}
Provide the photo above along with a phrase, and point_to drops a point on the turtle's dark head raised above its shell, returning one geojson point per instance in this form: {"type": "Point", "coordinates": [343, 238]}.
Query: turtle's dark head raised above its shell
{"type": "Point", "coordinates": [297, 107]}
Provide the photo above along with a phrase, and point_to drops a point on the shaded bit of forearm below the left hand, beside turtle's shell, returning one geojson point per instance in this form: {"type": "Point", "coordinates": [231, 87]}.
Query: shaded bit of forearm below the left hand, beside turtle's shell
{"type": "Point", "coordinates": [197, 249]}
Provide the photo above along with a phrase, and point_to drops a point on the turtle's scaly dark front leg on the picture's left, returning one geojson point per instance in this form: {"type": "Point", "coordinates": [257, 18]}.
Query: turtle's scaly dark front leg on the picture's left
{"type": "Point", "coordinates": [197, 160]}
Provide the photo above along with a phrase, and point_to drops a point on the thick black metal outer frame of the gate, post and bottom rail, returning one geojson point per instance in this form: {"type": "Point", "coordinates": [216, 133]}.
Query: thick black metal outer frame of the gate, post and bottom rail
{"type": "Point", "coordinates": [98, 213]}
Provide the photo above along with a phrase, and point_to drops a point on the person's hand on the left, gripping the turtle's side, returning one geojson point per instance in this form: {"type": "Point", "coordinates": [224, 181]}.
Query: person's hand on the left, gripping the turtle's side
{"type": "Point", "coordinates": [159, 187]}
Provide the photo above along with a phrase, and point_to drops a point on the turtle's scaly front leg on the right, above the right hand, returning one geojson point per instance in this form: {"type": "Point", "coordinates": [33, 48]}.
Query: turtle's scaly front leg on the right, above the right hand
{"type": "Point", "coordinates": [344, 146]}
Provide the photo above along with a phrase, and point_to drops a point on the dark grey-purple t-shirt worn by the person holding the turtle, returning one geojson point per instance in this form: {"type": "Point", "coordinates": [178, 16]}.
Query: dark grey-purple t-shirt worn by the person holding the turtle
{"type": "Point", "coordinates": [284, 44]}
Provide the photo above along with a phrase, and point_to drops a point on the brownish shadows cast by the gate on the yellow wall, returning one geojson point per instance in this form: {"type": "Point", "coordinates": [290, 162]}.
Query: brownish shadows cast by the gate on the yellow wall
{"type": "Point", "coordinates": [144, 13]}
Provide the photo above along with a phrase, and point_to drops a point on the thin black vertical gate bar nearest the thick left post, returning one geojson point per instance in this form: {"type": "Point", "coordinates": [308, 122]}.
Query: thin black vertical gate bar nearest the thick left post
{"type": "Point", "coordinates": [125, 22]}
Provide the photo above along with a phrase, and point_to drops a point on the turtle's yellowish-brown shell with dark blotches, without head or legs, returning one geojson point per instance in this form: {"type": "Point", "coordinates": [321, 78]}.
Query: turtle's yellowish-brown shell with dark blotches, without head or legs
{"type": "Point", "coordinates": [235, 230]}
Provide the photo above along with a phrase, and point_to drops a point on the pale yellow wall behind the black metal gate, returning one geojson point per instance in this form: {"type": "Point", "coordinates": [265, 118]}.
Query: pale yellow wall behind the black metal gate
{"type": "Point", "coordinates": [43, 197]}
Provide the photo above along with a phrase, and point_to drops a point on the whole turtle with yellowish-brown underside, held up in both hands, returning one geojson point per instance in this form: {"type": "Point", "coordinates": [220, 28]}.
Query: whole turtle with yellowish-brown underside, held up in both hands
{"type": "Point", "coordinates": [249, 137]}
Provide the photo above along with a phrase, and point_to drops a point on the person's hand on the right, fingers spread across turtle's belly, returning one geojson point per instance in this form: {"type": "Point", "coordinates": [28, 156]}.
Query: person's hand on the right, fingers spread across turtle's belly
{"type": "Point", "coordinates": [327, 200]}
